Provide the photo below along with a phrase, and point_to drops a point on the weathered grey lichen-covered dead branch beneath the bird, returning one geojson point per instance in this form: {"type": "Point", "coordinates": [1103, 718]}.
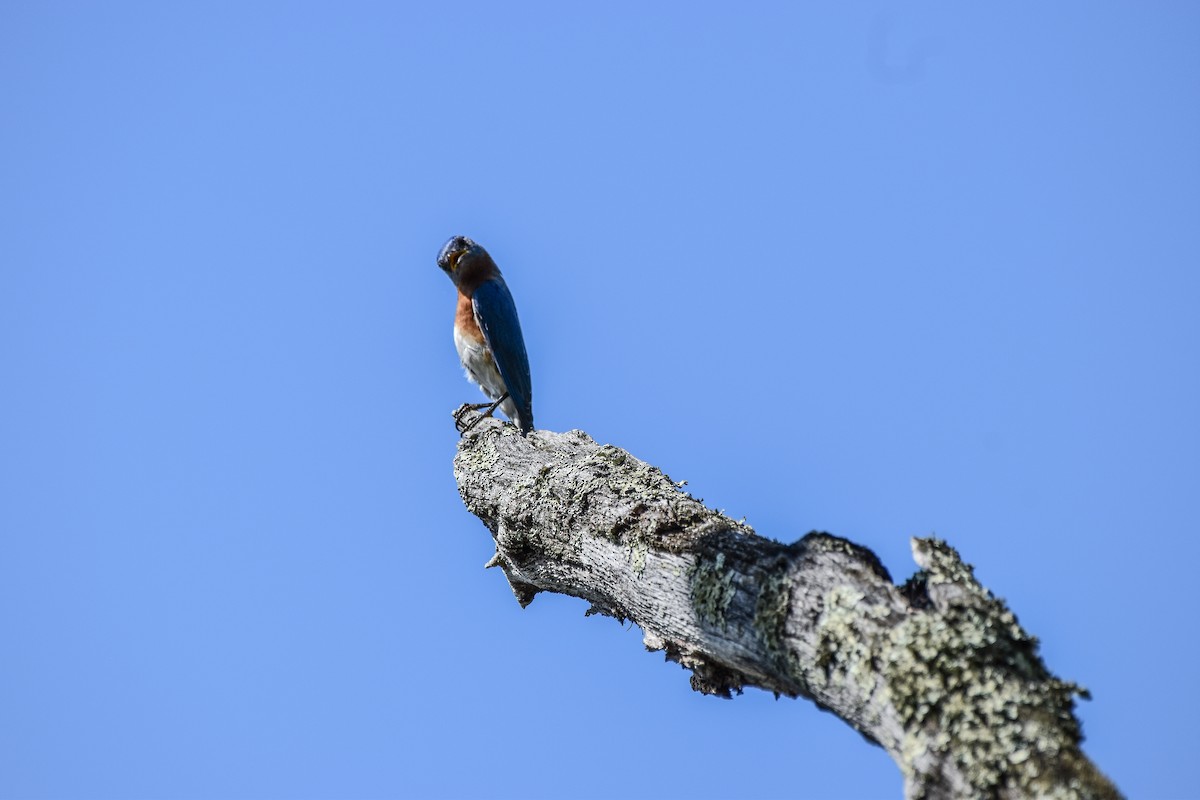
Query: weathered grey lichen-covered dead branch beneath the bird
{"type": "Point", "coordinates": [937, 671]}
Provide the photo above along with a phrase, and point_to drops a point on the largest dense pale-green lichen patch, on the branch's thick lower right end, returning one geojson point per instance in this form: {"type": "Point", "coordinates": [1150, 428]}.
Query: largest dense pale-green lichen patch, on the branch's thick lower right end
{"type": "Point", "coordinates": [967, 679]}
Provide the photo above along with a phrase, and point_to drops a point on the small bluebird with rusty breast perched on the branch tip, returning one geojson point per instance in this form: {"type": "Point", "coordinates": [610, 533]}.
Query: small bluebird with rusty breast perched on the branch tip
{"type": "Point", "coordinates": [488, 333]}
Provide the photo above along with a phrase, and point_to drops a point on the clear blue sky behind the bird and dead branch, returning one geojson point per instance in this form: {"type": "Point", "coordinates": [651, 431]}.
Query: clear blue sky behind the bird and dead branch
{"type": "Point", "coordinates": [878, 270]}
